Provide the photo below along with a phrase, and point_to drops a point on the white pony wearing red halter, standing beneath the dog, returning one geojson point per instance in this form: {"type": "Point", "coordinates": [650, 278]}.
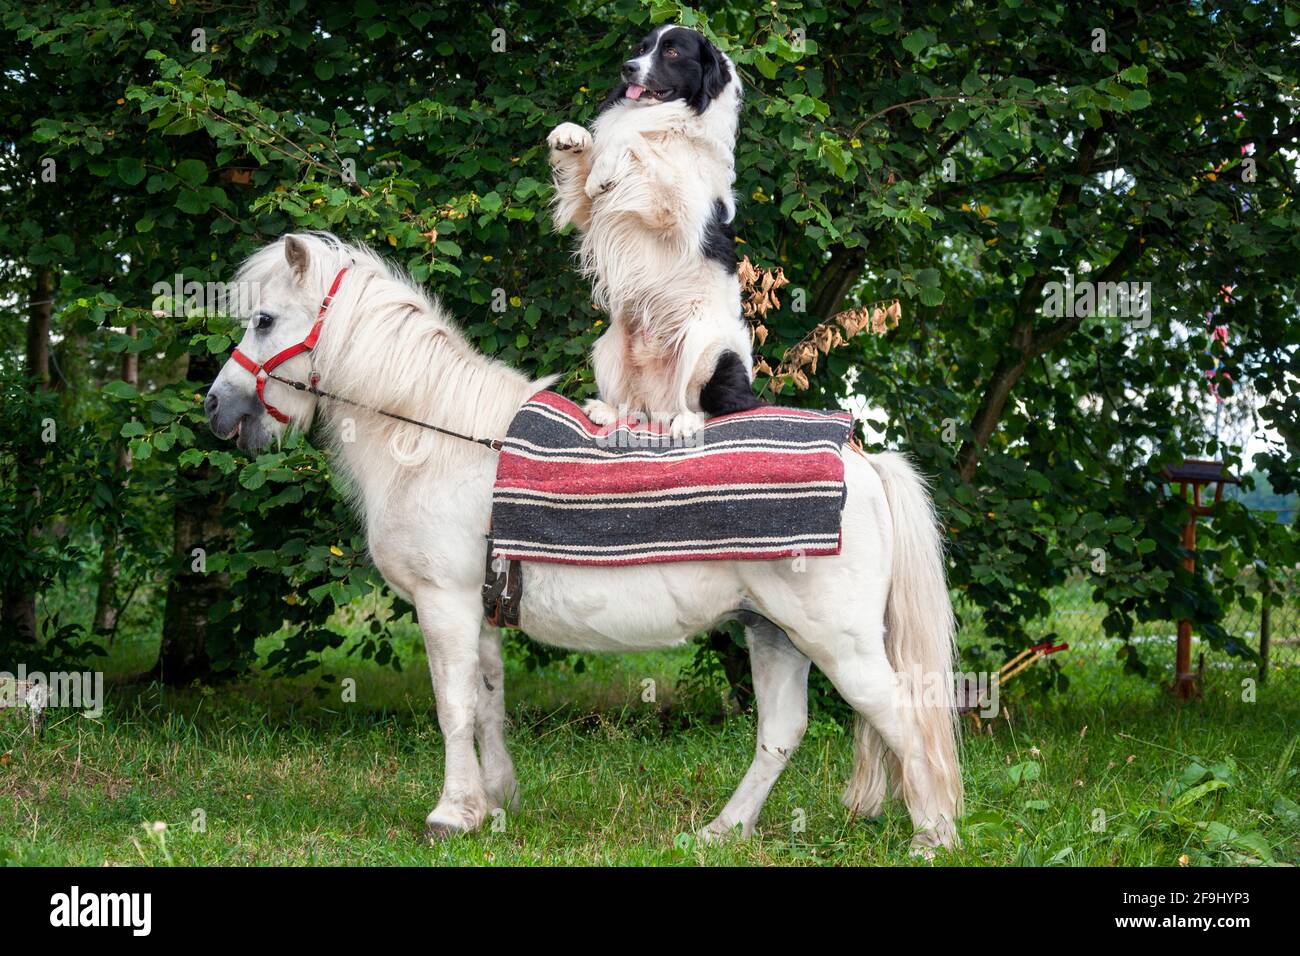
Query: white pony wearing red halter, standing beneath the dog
{"type": "Point", "coordinates": [876, 620]}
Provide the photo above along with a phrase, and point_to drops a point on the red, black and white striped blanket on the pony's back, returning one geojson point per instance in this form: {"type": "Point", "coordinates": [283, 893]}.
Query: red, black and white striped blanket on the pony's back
{"type": "Point", "coordinates": [755, 486]}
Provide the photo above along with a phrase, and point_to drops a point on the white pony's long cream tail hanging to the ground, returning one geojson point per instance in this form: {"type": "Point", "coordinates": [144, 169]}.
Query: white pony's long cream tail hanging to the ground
{"type": "Point", "coordinates": [921, 642]}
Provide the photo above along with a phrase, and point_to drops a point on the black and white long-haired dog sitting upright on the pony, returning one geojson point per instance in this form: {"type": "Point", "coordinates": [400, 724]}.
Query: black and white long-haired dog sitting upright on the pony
{"type": "Point", "coordinates": [651, 191]}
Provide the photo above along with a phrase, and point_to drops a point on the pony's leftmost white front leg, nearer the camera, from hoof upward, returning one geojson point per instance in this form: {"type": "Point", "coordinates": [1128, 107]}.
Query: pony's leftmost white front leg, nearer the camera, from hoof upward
{"type": "Point", "coordinates": [452, 621]}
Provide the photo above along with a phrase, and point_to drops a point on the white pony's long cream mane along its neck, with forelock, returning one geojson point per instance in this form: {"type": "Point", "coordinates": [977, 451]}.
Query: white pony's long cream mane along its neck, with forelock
{"type": "Point", "coordinates": [389, 345]}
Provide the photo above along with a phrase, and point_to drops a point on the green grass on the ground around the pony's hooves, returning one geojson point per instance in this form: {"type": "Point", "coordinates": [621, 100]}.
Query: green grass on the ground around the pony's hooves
{"type": "Point", "coordinates": [284, 776]}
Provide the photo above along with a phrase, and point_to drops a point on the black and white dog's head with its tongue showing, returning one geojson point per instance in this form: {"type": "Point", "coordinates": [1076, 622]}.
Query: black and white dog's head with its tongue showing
{"type": "Point", "coordinates": [674, 63]}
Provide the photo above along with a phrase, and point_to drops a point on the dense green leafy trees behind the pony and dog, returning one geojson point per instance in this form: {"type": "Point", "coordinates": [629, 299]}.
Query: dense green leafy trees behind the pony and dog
{"type": "Point", "coordinates": [967, 161]}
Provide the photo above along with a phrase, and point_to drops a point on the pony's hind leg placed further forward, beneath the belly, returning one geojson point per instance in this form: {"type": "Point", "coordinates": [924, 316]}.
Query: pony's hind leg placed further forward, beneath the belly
{"type": "Point", "coordinates": [782, 697]}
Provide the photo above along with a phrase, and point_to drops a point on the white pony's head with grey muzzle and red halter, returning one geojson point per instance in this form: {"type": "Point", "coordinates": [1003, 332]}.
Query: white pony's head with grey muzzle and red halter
{"type": "Point", "coordinates": [288, 282]}
